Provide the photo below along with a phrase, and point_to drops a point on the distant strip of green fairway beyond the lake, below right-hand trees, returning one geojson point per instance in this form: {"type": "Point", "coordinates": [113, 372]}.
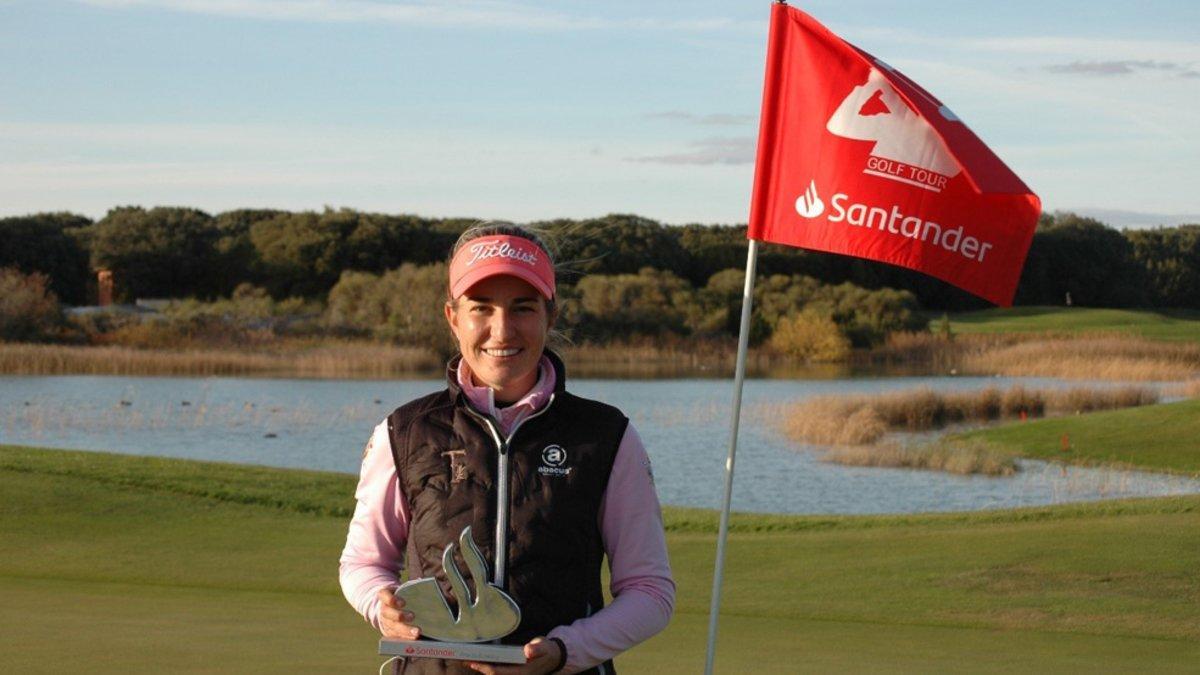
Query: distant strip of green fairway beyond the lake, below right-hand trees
{"type": "Point", "coordinates": [1173, 325]}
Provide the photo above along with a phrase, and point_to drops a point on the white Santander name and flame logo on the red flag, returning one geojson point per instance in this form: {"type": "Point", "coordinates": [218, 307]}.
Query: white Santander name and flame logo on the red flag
{"type": "Point", "coordinates": [891, 223]}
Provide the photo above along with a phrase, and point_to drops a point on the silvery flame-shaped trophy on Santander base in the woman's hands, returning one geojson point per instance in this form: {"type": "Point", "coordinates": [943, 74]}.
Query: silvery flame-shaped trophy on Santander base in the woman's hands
{"type": "Point", "coordinates": [483, 617]}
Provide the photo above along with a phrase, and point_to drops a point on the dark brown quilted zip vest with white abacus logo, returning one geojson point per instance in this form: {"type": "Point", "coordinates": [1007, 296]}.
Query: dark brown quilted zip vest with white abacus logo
{"type": "Point", "coordinates": [560, 462]}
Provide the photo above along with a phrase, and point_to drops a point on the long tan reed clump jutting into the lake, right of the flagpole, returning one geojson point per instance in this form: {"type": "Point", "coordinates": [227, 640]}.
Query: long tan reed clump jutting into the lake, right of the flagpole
{"type": "Point", "coordinates": [865, 421]}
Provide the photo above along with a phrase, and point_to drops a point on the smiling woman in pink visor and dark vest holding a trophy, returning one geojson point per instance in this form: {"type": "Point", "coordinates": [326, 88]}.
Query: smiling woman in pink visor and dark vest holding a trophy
{"type": "Point", "coordinates": [549, 483]}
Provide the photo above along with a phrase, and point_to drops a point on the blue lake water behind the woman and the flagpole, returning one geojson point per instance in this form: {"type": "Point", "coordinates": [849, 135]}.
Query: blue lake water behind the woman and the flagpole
{"type": "Point", "coordinates": [323, 425]}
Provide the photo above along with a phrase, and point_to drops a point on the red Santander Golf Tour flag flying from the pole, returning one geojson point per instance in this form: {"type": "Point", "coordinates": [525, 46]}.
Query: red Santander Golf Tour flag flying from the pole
{"type": "Point", "coordinates": [857, 159]}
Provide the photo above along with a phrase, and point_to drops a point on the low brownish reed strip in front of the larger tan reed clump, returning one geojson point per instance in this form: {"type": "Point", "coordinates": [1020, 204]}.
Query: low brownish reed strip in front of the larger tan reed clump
{"type": "Point", "coordinates": [964, 458]}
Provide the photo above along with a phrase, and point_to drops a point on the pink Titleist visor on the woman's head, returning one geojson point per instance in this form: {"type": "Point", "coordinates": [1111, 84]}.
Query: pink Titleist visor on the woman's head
{"type": "Point", "coordinates": [502, 254]}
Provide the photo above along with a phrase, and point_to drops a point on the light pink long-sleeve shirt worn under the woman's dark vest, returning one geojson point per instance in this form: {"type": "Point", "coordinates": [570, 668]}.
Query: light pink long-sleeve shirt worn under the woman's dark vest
{"type": "Point", "coordinates": [631, 524]}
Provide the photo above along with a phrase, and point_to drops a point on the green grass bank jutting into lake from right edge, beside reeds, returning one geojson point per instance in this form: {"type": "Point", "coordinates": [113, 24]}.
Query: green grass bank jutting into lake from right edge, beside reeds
{"type": "Point", "coordinates": [1165, 438]}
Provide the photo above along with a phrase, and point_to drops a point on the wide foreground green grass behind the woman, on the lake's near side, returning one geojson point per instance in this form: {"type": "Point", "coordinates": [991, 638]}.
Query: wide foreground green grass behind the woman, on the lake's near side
{"type": "Point", "coordinates": [163, 565]}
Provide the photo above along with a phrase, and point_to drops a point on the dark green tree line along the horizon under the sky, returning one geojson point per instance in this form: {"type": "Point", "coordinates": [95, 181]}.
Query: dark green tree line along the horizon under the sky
{"type": "Point", "coordinates": [176, 253]}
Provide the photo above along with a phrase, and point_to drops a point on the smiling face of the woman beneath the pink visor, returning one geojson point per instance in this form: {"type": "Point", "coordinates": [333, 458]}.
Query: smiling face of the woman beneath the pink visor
{"type": "Point", "coordinates": [501, 325]}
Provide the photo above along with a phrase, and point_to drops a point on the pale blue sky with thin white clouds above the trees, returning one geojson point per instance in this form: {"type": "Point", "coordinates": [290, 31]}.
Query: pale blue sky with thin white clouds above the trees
{"type": "Point", "coordinates": [530, 111]}
